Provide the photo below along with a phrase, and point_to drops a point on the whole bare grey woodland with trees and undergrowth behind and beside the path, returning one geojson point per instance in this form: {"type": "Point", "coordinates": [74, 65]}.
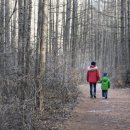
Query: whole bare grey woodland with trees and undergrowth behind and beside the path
{"type": "Point", "coordinates": [45, 48]}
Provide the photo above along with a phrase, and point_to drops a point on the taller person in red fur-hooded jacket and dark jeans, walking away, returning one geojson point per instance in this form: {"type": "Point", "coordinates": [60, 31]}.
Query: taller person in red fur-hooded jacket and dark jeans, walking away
{"type": "Point", "coordinates": [92, 77]}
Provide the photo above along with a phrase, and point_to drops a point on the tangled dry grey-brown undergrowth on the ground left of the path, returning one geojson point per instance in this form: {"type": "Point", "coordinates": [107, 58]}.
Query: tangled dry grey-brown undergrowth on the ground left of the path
{"type": "Point", "coordinates": [17, 112]}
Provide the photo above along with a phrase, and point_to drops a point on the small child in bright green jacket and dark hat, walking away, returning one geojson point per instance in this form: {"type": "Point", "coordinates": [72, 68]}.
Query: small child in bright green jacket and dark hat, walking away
{"type": "Point", "coordinates": [105, 85]}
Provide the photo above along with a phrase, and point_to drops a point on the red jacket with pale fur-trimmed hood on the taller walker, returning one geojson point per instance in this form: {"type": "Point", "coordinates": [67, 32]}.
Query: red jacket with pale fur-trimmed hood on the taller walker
{"type": "Point", "coordinates": [92, 75]}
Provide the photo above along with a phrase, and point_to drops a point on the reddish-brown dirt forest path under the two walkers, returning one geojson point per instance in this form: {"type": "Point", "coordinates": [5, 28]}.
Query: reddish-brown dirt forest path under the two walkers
{"type": "Point", "coordinates": [99, 113]}
